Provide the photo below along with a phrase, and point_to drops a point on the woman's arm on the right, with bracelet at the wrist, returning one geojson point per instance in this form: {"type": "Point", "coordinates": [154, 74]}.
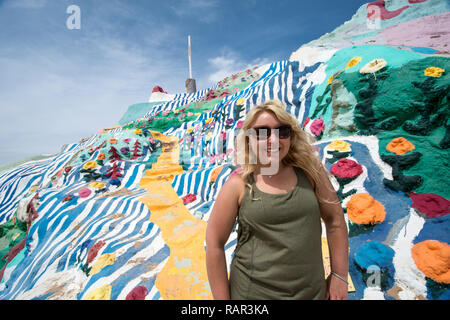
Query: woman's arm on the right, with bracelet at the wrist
{"type": "Point", "coordinates": [337, 236]}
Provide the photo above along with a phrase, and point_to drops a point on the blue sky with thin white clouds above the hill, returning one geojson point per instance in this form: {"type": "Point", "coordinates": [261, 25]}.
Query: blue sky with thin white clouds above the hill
{"type": "Point", "coordinates": [59, 85]}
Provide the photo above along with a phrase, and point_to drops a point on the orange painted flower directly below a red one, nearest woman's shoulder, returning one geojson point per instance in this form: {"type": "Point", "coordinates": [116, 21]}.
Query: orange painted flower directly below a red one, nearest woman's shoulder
{"type": "Point", "coordinates": [362, 208]}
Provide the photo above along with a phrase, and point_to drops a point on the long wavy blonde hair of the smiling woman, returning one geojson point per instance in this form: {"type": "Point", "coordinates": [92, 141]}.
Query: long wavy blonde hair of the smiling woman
{"type": "Point", "coordinates": [300, 154]}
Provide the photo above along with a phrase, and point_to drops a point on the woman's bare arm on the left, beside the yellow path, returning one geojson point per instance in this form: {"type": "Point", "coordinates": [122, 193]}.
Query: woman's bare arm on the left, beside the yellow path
{"type": "Point", "coordinates": [220, 224]}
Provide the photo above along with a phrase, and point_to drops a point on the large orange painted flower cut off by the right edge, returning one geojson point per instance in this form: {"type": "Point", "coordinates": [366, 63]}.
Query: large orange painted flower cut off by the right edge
{"type": "Point", "coordinates": [432, 257]}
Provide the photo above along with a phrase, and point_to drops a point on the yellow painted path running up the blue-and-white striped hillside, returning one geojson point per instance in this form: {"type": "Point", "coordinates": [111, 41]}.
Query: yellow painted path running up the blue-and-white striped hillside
{"type": "Point", "coordinates": [184, 275]}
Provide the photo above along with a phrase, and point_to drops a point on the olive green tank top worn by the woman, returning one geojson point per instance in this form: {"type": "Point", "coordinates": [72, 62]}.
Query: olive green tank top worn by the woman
{"type": "Point", "coordinates": [278, 253]}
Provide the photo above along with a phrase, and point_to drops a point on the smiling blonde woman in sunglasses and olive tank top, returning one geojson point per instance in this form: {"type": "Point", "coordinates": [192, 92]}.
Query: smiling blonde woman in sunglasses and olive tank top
{"type": "Point", "coordinates": [278, 254]}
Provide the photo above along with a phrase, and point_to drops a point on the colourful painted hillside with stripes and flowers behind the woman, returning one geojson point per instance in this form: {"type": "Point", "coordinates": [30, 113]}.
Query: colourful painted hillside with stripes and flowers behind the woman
{"type": "Point", "coordinates": [122, 214]}
